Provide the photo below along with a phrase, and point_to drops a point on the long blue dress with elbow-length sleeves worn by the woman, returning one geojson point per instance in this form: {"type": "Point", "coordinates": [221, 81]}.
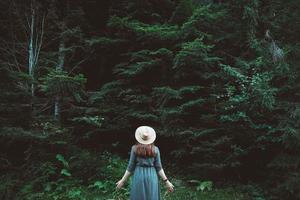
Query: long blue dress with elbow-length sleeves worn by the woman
{"type": "Point", "coordinates": [144, 185]}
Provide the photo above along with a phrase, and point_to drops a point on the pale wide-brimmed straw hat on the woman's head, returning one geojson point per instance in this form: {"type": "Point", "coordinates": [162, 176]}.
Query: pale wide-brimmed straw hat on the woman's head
{"type": "Point", "coordinates": [145, 135]}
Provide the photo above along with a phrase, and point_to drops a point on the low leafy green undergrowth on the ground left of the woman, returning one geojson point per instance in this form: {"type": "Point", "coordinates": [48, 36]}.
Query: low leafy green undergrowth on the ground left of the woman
{"type": "Point", "coordinates": [42, 179]}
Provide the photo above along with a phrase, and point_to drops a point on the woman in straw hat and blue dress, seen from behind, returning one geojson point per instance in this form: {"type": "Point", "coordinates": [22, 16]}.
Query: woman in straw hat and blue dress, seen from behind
{"type": "Point", "coordinates": [146, 164]}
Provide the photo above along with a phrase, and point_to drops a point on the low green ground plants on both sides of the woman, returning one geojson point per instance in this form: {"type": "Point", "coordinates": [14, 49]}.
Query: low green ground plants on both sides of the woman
{"type": "Point", "coordinates": [101, 186]}
